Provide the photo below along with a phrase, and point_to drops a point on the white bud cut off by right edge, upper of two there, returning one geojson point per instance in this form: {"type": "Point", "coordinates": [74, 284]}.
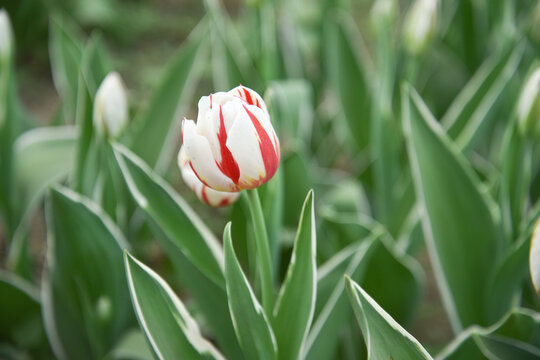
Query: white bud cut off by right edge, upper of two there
{"type": "Point", "coordinates": [529, 106]}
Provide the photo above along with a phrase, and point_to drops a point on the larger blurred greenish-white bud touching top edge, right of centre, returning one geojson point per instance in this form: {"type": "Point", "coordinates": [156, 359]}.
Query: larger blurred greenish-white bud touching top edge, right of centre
{"type": "Point", "coordinates": [420, 25]}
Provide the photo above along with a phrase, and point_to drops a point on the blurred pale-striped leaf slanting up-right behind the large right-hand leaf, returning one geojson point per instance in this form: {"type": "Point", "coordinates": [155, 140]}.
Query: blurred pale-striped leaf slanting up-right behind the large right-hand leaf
{"type": "Point", "coordinates": [471, 108]}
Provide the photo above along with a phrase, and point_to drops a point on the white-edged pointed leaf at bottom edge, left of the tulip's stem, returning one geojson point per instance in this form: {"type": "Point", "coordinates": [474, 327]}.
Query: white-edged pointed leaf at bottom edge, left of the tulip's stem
{"type": "Point", "coordinates": [169, 328]}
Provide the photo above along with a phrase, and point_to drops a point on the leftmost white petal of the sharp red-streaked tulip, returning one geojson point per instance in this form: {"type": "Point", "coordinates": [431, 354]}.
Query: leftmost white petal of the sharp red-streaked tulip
{"type": "Point", "coordinates": [199, 154]}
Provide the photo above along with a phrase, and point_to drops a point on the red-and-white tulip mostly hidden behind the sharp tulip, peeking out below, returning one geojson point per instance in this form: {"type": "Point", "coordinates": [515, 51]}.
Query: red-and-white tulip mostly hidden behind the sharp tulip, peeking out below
{"type": "Point", "coordinates": [204, 193]}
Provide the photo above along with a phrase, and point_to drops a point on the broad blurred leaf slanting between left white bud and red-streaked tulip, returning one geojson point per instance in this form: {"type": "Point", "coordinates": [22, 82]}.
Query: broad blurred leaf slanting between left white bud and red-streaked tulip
{"type": "Point", "coordinates": [155, 127]}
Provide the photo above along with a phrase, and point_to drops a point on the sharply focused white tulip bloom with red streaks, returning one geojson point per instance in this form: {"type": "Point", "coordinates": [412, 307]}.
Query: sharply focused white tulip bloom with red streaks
{"type": "Point", "coordinates": [233, 146]}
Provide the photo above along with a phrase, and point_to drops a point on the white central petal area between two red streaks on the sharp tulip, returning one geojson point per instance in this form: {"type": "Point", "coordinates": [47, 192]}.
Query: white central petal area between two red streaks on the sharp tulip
{"type": "Point", "coordinates": [244, 146]}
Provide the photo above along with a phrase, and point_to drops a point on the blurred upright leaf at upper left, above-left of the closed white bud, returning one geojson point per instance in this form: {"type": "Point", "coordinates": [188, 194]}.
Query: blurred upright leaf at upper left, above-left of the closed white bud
{"type": "Point", "coordinates": [65, 51]}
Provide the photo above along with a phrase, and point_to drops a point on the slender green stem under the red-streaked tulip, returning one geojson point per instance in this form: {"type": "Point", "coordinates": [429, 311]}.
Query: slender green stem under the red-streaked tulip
{"type": "Point", "coordinates": [263, 251]}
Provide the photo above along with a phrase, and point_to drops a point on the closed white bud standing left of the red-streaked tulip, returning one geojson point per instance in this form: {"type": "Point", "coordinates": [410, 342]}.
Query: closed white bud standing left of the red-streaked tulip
{"type": "Point", "coordinates": [110, 107]}
